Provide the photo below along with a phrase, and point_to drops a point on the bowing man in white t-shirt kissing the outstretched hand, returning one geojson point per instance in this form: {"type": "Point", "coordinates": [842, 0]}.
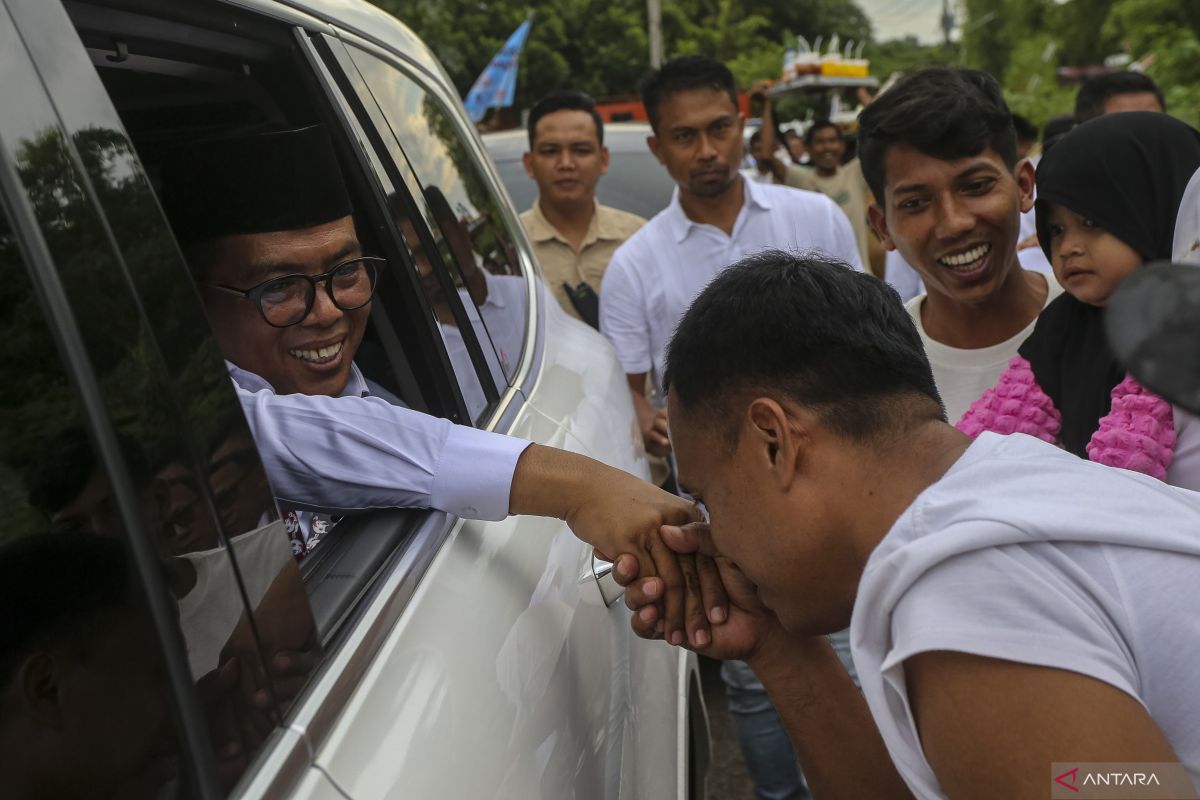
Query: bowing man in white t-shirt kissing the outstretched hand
{"type": "Point", "coordinates": [998, 628]}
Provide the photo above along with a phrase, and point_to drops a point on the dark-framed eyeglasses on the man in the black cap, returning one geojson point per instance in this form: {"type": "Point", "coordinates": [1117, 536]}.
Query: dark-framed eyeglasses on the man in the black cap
{"type": "Point", "coordinates": [289, 299]}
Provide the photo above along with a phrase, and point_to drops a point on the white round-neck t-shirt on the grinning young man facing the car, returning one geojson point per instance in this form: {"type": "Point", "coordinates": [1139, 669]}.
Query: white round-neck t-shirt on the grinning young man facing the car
{"type": "Point", "coordinates": [964, 376]}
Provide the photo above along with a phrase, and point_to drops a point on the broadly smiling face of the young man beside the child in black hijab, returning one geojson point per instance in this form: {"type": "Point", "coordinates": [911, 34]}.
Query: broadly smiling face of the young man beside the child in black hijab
{"type": "Point", "coordinates": [957, 222]}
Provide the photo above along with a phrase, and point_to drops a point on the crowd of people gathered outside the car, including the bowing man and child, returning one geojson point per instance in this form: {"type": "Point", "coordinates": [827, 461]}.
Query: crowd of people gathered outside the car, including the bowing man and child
{"type": "Point", "coordinates": [1010, 605]}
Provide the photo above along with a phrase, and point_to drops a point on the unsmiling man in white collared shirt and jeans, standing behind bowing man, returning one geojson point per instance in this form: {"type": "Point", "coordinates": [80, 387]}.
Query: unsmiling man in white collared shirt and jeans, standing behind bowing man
{"type": "Point", "coordinates": [716, 219]}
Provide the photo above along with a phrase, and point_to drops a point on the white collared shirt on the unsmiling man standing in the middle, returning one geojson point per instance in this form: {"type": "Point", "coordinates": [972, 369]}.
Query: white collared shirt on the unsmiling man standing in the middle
{"type": "Point", "coordinates": [655, 276]}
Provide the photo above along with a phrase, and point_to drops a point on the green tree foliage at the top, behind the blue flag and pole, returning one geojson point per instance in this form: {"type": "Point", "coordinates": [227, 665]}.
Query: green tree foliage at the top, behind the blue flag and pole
{"type": "Point", "coordinates": [602, 46]}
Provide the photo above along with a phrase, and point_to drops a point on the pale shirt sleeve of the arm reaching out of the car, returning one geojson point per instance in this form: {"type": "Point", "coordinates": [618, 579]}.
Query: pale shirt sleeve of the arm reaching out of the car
{"type": "Point", "coordinates": [355, 454]}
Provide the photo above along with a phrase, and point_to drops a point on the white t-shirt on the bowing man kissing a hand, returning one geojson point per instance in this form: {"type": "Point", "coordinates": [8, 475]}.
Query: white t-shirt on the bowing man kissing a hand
{"type": "Point", "coordinates": [1096, 578]}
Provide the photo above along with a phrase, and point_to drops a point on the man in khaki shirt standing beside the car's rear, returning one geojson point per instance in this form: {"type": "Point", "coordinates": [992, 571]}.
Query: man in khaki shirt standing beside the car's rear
{"type": "Point", "coordinates": [573, 236]}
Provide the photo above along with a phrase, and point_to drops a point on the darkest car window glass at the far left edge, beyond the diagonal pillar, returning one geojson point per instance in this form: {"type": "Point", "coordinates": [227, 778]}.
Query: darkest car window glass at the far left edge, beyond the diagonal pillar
{"type": "Point", "coordinates": [79, 639]}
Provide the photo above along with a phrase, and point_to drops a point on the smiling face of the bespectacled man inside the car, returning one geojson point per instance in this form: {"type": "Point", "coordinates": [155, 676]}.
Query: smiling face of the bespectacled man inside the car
{"type": "Point", "coordinates": [310, 358]}
